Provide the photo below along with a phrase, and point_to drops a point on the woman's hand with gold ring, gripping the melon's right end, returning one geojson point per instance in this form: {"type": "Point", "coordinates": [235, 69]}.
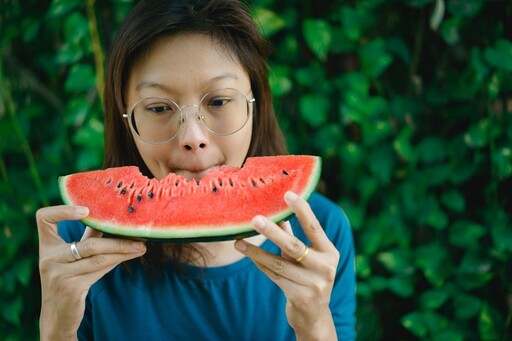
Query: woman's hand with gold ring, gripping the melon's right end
{"type": "Point", "coordinates": [305, 273]}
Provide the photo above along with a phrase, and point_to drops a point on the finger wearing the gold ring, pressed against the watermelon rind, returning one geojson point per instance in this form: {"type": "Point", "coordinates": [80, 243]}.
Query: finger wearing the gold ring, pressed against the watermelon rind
{"type": "Point", "coordinates": [289, 244]}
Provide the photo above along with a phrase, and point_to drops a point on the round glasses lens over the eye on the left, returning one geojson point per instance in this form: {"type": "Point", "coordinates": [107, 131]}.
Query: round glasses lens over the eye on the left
{"type": "Point", "coordinates": [156, 119]}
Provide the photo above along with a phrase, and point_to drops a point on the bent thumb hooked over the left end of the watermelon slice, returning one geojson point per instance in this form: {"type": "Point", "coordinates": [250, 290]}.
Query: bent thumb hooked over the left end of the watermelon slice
{"type": "Point", "coordinates": [48, 217]}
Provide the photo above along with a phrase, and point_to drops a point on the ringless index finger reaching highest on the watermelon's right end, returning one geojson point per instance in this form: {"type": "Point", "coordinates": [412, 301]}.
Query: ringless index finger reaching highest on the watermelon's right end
{"type": "Point", "coordinates": [308, 221]}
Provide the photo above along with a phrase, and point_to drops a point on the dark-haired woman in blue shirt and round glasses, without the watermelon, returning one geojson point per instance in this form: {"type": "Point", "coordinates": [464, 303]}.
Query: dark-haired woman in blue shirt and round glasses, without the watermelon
{"type": "Point", "coordinates": [294, 280]}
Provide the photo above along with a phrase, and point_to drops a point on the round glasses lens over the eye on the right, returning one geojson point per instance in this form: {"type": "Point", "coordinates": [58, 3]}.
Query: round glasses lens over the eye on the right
{"type": "Point", "coordinates": [224, 111]}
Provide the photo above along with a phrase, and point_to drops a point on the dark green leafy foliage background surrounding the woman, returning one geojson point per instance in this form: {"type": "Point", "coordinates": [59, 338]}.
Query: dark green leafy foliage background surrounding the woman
{"type": "Point", "coordinates": [408, 102]}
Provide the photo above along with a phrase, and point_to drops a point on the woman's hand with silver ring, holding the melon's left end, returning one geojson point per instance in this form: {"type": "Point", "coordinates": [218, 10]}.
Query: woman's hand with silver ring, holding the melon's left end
{"type": "Point", "coordinates": [65, 281]}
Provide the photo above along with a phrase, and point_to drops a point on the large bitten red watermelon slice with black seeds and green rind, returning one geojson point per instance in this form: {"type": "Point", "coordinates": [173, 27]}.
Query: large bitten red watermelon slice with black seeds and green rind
{"type": "Point", "coordinates": [220, 206]}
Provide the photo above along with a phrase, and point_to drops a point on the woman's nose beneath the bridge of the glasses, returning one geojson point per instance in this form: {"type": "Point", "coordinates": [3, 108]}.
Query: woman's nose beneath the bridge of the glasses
{"type": "Point", "coordinates": [193, 136]}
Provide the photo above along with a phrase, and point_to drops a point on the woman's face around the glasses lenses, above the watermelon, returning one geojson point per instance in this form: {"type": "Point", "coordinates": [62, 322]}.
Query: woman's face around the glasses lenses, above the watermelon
{"type": "Point", "coordinates": [183, 68]}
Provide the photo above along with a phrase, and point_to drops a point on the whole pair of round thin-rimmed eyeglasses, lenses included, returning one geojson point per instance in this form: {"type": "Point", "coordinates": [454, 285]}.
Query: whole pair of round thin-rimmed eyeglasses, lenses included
{"type": "Point", "coordinates": [157, 120]}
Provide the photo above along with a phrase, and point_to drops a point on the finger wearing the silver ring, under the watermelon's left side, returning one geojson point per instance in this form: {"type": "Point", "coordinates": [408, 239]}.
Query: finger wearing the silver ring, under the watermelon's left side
{"type": "Point", "coordinates": [103, 246]}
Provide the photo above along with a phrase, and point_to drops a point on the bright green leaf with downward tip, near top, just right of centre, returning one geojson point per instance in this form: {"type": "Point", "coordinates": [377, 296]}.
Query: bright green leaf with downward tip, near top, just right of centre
{"type": "Point", "coordinates": [317, 33]}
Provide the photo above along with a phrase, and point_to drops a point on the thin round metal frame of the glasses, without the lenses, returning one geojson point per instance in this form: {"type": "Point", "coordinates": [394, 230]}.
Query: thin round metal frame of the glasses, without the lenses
{"type": "Point", "coordinates": [200, 116]}
